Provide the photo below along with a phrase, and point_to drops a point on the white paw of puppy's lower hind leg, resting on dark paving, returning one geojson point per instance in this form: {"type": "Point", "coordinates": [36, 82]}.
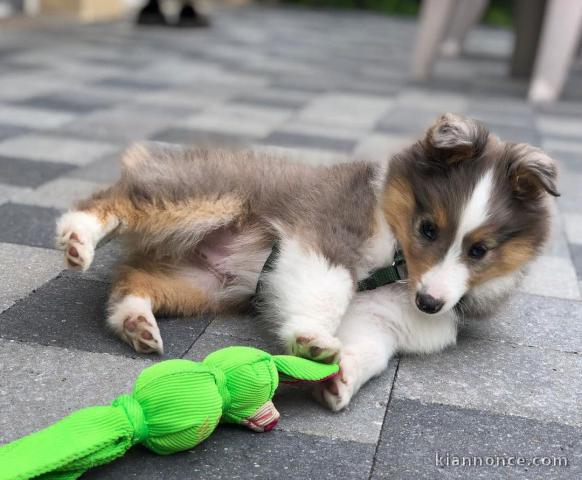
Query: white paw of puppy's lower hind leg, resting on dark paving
{"type": "Point", "coordinates": [132, 319]}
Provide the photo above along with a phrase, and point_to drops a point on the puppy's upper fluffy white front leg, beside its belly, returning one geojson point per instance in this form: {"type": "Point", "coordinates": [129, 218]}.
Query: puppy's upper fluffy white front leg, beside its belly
{"type": "Point", "coordinates": [306, 297]}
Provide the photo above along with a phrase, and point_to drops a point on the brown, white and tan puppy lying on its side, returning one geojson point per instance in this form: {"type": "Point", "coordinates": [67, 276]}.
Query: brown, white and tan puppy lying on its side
{"type": "Point", "coordinates": [467, 210]}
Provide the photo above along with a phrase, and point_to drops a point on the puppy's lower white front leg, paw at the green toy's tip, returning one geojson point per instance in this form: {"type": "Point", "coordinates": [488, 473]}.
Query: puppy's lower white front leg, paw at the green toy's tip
{"type": "Point", "coordinates": [368, 334]}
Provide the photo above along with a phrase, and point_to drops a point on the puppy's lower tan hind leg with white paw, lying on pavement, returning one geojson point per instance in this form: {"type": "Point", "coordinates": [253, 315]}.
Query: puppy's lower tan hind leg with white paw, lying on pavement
{"type": "Point", "coordinates": [144, 289]}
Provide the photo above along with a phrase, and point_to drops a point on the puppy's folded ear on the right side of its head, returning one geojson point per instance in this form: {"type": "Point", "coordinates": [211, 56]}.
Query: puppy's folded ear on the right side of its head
{"type": "Point", "coordinates": [531, 170]}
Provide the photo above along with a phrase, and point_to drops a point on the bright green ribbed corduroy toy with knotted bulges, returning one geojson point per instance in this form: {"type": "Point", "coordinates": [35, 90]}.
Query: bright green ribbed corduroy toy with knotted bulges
{"type": "Point", "coordinates": [174, 405]}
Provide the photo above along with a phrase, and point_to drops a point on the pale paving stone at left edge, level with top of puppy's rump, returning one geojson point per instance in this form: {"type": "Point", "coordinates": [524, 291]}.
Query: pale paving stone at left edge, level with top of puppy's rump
{"type": "Point", "coordinates": [55, 149]}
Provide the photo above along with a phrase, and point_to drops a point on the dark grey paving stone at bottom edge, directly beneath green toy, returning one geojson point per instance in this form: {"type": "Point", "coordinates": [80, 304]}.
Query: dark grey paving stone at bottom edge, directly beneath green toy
{"type": "Point", "coordinates": [232, 452]}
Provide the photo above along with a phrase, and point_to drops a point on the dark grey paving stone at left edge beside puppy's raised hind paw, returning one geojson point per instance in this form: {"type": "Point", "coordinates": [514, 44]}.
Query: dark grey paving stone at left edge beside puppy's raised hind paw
{"type": "Point", "coordinates": [28, 225]}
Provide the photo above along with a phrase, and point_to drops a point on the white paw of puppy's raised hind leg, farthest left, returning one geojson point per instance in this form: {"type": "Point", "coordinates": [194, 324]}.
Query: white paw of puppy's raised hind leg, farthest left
{"type": "Point", "coordinates": [77, 234]}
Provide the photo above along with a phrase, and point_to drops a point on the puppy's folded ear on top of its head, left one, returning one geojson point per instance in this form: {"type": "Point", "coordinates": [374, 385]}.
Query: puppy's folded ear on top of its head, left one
{"type": "Point", "coordinates": [454, 138]}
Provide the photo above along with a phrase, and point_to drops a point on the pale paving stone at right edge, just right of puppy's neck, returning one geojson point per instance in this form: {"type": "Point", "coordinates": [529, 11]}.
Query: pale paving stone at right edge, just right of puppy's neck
{"type": "Point", "coordinates": [561, 283]}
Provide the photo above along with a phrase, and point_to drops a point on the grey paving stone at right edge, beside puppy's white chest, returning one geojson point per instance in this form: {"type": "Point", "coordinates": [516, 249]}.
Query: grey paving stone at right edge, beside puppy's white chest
{"type": "Point", "coordinates": [533, 321]}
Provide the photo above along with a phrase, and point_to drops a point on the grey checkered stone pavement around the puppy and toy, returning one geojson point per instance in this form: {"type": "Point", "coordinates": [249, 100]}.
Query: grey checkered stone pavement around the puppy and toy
{"type": "Point", "coordinates": [321, 84]}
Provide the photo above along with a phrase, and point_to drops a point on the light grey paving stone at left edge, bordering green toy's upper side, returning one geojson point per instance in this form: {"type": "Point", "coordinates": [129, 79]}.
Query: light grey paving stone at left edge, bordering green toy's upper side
{"type": "Point", "coordinates": [41, 385]}
